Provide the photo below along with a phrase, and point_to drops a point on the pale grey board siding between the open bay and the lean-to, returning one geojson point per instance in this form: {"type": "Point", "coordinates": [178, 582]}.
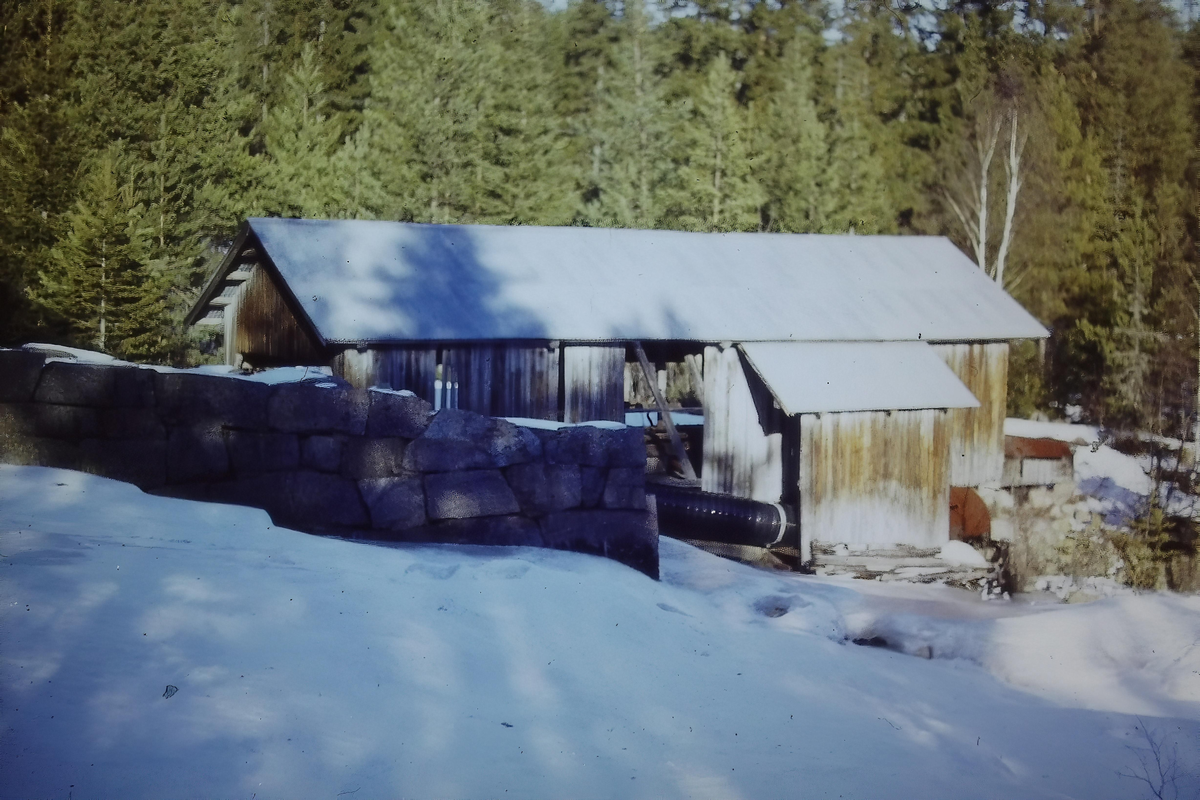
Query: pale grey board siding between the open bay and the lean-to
{"type": "Point", "coordinates": [741, 459]}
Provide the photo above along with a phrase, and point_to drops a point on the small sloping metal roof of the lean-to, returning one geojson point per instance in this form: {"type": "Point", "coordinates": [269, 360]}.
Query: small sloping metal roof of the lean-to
{"type": "Point", "coordinates": [811, 377]}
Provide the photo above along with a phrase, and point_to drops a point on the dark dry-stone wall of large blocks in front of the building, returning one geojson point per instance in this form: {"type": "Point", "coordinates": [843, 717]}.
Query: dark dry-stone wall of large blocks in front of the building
{"type": "Point", "coordinates": [362, 464]}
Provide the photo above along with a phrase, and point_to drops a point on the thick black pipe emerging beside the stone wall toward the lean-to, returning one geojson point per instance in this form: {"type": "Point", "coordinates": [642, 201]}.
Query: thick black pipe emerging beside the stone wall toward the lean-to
{"type": "Point", "coordinates": [710, 518]}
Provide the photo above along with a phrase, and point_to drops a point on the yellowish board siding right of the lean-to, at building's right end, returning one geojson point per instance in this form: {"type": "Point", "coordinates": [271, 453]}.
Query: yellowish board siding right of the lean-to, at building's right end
{"type": "Point", "coordinates": [977, 435]}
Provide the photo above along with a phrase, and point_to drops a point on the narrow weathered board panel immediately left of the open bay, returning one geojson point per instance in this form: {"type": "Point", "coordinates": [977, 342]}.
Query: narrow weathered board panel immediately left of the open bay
{"type": "Point", "coordinates": [595, 383]}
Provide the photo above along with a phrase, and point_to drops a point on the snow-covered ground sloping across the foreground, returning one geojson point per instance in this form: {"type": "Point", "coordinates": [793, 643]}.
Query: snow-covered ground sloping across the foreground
{"type": "Point", "coordinates": [310, 667]}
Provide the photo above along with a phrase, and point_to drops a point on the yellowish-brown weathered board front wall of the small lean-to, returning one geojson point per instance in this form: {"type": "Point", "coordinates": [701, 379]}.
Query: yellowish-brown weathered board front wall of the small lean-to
{"type": "Point", "coordinates": [873, 478]}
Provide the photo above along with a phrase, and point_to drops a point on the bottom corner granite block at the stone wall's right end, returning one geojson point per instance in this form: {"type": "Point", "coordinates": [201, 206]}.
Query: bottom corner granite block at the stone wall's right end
{"type": "Point", "coordinates": [628, 537]}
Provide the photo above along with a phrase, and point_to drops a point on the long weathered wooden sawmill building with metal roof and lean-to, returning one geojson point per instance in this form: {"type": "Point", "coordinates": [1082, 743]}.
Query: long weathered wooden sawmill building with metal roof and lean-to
{"type": "Point", "coordinates": [854, 380]}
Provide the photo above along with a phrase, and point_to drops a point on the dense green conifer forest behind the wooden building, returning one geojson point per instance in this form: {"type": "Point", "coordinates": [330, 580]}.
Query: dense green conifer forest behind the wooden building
{"type": "Point", "coordinates": [1053, 141]}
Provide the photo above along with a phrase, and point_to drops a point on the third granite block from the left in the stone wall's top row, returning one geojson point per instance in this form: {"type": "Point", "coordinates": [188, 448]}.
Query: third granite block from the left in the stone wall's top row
{"type": "Point", "coordinates": [191, 399]}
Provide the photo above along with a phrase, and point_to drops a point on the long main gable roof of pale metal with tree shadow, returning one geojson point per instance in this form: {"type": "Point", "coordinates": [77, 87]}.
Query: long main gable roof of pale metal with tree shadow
{"type": "Point", "coordinates": [388, 281]}
